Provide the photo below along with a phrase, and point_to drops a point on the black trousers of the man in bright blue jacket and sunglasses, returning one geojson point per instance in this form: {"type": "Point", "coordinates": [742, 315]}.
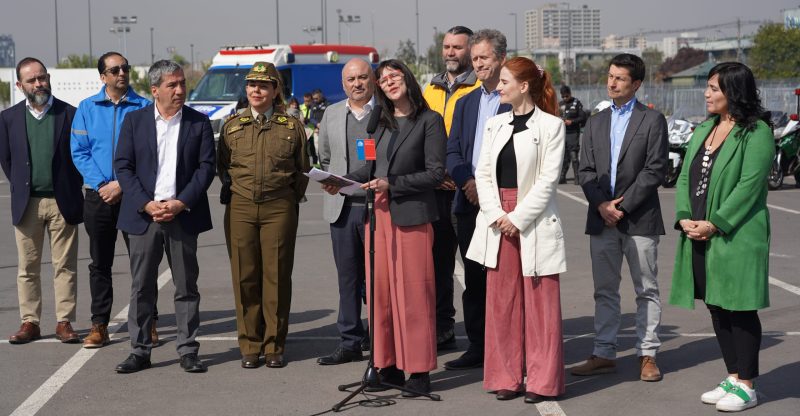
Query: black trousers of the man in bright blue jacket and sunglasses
{"type": "Point", "coordinates": [100, 220]}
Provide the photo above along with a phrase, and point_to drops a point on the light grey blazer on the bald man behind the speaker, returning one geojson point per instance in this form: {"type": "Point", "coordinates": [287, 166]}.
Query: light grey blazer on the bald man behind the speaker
{"type": "Point", "coordinates": [332, 139]}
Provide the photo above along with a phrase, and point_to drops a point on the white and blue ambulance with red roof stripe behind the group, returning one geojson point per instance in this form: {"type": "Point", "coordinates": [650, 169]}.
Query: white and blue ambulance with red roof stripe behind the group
{"type": "Point", "coordinates": [303, 68]}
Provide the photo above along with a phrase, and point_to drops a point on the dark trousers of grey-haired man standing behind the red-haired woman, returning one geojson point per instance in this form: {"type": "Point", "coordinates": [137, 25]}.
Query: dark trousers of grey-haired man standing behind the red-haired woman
{"type": "Point", "coordinates": [474, 296]}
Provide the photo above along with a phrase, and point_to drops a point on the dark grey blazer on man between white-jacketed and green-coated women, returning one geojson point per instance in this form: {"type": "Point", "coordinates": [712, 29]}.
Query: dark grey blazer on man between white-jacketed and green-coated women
{"type": "Point", "coordinates": [640, 170]}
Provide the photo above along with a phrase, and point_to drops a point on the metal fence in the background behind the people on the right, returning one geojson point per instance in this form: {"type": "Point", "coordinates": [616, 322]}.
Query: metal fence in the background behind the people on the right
{"type": "Point", "coordinates": [690, 101]}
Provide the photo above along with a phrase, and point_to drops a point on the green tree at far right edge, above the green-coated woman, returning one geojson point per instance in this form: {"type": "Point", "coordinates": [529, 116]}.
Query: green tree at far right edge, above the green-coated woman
{"type": "Point", "coordinates": [776, 52]}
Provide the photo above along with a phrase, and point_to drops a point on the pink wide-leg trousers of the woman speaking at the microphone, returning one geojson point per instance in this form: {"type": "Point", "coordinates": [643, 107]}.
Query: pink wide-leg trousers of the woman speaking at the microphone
{"type": "Point", "coordinates": [405, 293]}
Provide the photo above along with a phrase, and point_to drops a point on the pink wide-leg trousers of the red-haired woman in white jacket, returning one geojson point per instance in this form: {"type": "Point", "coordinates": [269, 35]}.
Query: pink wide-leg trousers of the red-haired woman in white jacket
{"type": "Point", "coordinates": [523, 323]}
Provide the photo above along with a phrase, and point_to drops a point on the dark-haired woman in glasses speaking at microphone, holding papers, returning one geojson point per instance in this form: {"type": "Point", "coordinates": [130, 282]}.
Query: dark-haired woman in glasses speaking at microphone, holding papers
{"type": "Point", "coordinates": [409, 165]}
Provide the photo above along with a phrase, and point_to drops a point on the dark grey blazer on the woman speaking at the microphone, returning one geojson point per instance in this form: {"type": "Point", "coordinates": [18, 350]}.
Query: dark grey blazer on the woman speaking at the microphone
{"type": "Point", "coordinates": [416, 168]}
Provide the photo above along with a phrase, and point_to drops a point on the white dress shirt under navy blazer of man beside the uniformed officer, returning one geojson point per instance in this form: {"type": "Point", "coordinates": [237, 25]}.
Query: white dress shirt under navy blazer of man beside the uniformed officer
{"type": "Point", "coordinates": [167, 132]}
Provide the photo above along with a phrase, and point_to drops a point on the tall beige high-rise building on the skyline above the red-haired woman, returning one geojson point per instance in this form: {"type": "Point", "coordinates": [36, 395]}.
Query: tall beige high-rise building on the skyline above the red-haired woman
{"type": "Point", "coordinates": [556, 25]}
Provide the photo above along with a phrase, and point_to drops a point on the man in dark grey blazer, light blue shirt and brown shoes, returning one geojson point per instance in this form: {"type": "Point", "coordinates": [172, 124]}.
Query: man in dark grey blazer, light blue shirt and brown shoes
{"type": "Point", "coordinates": [622, 164]}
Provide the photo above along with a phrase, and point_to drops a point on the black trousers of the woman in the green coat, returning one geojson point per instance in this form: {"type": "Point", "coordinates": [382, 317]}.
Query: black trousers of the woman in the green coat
{"type": "Point", "coordinates": [739, 337]}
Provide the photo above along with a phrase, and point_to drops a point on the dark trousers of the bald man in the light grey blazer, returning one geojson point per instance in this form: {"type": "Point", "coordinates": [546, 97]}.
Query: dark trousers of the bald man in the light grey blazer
{"type": "Point", "coordinates": [347, 237]}
